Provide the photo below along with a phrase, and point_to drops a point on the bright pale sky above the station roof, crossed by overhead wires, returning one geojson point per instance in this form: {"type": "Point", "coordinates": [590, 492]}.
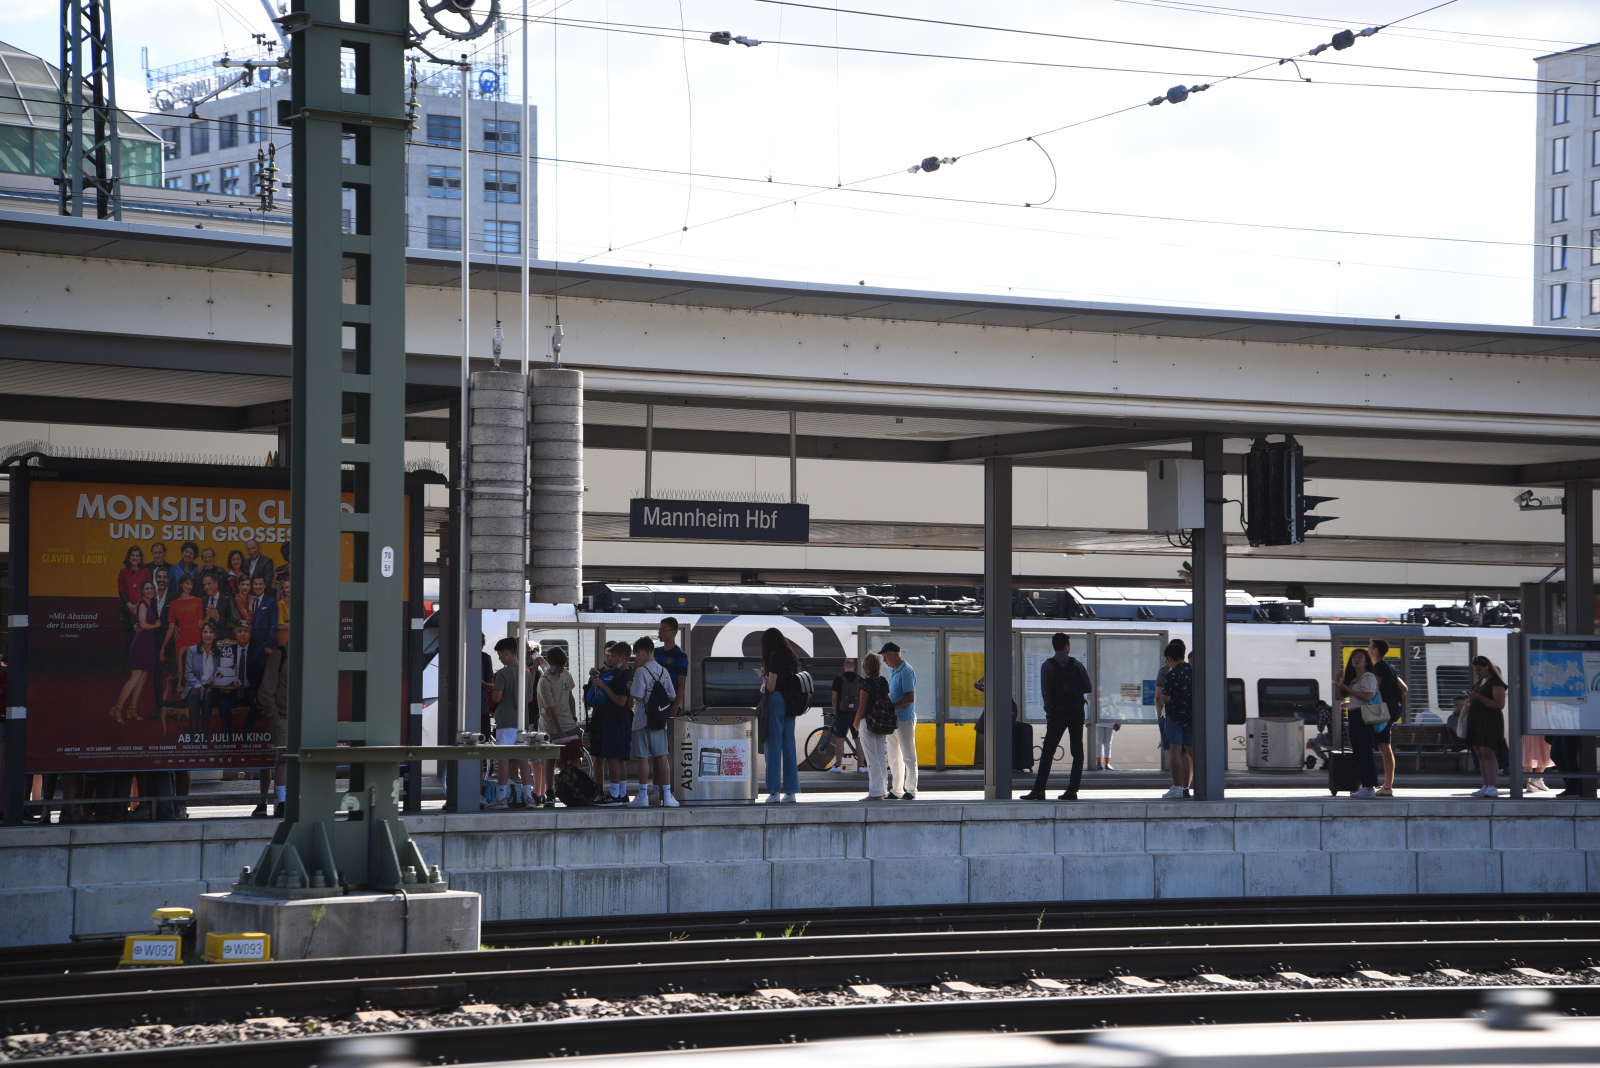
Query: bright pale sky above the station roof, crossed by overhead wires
{"type": "Point", "coordinates": [790, 159]}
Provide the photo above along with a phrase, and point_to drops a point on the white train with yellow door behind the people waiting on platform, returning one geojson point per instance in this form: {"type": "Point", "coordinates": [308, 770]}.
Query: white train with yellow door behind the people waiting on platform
{"type": "Point", "coordinates": [1276, 669]}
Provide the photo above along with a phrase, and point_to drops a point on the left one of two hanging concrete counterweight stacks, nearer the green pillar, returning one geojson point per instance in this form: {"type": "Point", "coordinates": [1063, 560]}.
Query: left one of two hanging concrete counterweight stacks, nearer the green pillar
{"type": "Point", "coordinates": [498, 479]}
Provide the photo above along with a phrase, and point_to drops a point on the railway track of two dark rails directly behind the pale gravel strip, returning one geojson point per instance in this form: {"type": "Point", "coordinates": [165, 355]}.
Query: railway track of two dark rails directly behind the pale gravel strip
{"type": "Point", "coordinates": [735, 966]}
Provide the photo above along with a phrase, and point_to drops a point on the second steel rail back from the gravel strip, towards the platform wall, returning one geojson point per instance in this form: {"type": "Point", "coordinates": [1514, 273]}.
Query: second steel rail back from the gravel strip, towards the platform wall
{"type": "Point", "coordinates": [574, 958]}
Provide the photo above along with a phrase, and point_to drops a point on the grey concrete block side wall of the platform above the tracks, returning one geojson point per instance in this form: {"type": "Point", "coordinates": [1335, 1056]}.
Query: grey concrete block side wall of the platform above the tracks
{"type": "Point", "coordinates": [87, 880]}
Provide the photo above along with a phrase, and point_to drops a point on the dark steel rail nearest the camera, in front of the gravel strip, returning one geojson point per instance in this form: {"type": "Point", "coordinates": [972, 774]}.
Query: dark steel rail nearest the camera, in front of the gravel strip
{"type": "Point", "coordinates": [1055, 1018]}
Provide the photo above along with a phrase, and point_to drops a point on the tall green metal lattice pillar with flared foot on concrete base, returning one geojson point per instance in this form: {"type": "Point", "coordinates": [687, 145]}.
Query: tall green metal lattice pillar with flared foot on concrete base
{"type": "Point", "coordinates": [346, 604]}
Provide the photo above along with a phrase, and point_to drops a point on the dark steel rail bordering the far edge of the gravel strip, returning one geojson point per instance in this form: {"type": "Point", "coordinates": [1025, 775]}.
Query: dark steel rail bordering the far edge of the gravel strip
{"type": "Point", "coordinates": [447, 989]}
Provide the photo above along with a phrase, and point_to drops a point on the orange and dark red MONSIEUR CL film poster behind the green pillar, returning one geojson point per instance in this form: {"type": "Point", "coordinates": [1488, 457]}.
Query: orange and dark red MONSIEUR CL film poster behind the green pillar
{"type": "Point", "coordinates": [140, 589]}
